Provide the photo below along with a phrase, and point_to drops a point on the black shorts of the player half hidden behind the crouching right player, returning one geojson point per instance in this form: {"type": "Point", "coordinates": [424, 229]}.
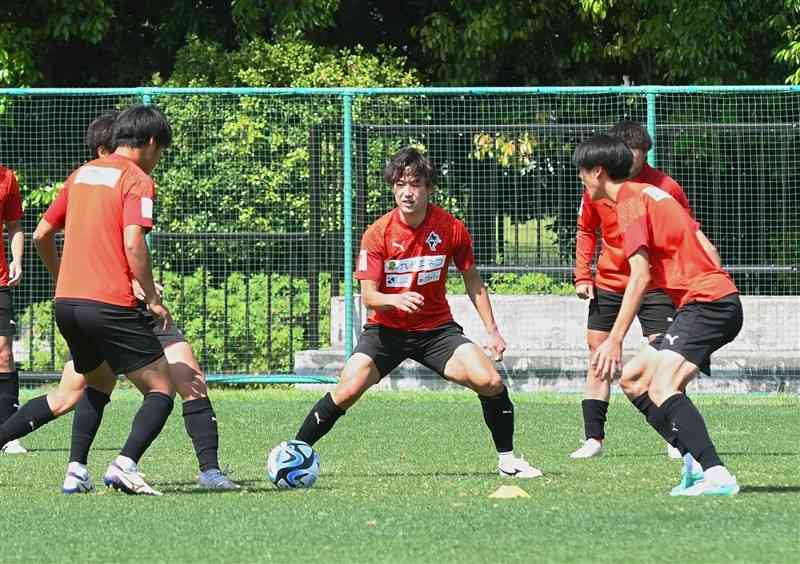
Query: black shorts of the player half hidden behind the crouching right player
{"type": "Point", "coordinates": [655, 314]}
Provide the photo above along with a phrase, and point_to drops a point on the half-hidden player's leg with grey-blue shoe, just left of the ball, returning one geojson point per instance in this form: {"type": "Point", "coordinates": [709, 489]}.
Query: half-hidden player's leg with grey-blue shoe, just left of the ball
{"type": "Point", "coordinates": [199, 417]}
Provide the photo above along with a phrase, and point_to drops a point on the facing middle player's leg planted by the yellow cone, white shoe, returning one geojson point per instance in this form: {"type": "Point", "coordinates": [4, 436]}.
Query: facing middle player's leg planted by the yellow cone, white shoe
{"type": "Point", "coordinates": [448, 352]}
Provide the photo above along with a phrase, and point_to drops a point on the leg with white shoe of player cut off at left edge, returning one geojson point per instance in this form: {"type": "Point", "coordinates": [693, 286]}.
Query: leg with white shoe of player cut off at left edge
{"type": "Point", "coordinates": [9, 379]}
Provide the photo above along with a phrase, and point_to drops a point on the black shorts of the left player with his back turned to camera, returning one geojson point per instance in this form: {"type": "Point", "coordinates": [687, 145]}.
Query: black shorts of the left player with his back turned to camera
{"type": "Point", "coordinates": [97, 332]}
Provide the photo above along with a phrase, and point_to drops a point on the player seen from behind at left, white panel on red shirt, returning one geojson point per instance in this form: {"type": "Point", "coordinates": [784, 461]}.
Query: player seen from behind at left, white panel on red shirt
{"type": "Point", "coordinates": [105, 209]}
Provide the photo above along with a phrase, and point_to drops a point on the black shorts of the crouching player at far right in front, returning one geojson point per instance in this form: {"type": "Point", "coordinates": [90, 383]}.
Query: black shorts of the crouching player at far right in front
{"type": "Point", "coordinates": [700, 328]}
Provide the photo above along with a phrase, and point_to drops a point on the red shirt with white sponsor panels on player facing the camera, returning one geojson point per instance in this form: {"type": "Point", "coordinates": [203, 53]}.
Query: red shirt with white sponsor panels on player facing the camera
{"type": "Point", "coordinates": [401, 258]}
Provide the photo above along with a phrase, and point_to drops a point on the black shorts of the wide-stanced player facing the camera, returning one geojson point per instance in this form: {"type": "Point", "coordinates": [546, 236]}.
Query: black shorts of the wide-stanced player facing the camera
{"type": "Point", "coordinates": [389, 347]}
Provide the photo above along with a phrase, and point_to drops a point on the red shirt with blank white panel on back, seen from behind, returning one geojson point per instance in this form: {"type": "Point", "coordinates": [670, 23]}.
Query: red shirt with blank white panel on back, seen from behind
{"type": "Point", "coordinates": [96, 204]}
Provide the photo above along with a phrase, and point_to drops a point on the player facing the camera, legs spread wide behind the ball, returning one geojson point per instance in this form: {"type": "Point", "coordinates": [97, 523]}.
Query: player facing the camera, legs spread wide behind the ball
{"type": "Point", "coordinates": [402, 267]}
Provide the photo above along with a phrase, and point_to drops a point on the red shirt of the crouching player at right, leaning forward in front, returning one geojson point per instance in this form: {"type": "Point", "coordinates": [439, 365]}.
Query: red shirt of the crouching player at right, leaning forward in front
{"type": "Point", "coordinates": [650, 218]}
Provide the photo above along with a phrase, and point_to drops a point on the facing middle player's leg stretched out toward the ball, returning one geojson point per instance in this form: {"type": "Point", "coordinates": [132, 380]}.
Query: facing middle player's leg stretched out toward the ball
{"type": "Point", "coordinates": [378, 351]}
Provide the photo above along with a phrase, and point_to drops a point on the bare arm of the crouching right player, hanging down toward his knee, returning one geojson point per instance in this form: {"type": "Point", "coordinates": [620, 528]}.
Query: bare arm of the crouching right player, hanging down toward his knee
{"type": "Point", "coordinates": [607, 359]}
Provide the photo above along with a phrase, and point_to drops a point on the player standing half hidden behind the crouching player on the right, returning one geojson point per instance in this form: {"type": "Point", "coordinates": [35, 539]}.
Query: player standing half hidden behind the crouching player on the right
{"type": "Point", "coordinates": [606, 289]}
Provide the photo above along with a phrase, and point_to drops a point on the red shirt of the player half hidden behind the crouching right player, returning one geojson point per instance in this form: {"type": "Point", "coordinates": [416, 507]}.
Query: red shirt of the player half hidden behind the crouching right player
{"type": "Point", "coordinates": [613, 269]}
